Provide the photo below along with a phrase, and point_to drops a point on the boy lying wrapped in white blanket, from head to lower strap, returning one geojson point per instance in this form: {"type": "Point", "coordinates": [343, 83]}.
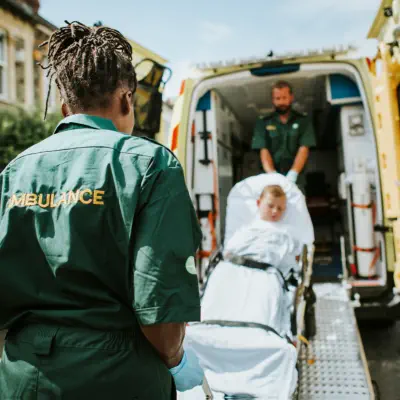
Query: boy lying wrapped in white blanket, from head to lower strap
{"type": "Point", "coordinates": [258, 259]}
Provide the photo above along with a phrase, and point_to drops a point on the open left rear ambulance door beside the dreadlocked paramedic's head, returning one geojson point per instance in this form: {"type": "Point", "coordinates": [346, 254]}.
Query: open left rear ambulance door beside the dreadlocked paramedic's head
{"type": "Point", "coordinates": [148, 97]}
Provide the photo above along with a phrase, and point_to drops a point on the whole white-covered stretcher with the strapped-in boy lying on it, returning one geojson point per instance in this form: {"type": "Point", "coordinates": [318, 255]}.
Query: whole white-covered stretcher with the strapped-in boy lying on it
{"type": "Point", "coordinates": [247, 292]}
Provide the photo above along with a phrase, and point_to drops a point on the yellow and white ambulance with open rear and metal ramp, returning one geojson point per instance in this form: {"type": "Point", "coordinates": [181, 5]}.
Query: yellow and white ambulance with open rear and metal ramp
{"type": "Point", "coordinates": [352, 175]}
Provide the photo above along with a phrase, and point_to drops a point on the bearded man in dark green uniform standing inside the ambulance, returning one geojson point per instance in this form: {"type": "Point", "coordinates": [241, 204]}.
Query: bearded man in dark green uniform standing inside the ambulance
{"type": "Point", "coordinates": [284, 136]}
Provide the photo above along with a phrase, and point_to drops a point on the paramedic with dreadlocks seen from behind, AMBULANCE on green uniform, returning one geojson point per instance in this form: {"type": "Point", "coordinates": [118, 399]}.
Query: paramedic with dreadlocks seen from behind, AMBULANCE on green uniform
{"type": "Point", "coordinates": [97, 242]}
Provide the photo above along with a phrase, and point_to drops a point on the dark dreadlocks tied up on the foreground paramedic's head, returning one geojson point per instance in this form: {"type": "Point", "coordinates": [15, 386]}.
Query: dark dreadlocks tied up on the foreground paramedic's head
{"type": "Point", "coordinates": [88, 64]}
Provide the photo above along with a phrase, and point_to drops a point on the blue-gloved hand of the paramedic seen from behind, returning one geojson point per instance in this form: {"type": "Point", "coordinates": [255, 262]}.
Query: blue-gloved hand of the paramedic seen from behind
{"type": "Point", "coordinates": [188, 374]}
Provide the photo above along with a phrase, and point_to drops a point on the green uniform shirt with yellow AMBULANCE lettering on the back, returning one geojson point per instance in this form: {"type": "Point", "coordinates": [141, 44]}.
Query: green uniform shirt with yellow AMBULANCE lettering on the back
{"type": "Point", "coordinates": [97, 230]}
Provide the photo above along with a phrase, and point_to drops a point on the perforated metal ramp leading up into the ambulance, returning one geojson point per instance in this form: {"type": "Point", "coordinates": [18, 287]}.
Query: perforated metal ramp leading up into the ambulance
{"type": "Point", "coordinates": [334, 366]}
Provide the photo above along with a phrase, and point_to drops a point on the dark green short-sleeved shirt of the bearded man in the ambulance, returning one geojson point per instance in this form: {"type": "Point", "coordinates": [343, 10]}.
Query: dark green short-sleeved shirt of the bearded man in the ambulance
{"type": "Point", "coordinates": [283, 140]}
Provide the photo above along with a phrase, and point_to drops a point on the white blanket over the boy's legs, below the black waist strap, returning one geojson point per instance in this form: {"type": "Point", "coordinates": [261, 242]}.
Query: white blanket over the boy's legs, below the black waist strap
{"type": "Point", "coordinates": [245, 360]}
